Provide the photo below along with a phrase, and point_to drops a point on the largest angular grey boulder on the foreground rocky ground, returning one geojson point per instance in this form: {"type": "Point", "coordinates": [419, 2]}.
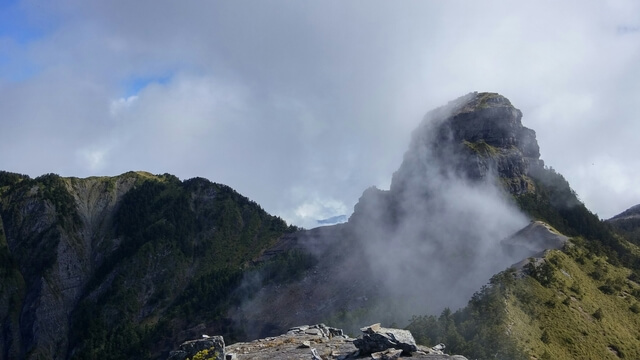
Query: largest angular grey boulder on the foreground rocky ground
{"type": "Point", "coordinates": [376, 338]}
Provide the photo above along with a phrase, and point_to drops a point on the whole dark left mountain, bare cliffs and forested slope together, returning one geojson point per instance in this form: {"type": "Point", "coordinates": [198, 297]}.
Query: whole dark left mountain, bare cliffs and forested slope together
{"type": "Point", "coordinates": [112, 255]}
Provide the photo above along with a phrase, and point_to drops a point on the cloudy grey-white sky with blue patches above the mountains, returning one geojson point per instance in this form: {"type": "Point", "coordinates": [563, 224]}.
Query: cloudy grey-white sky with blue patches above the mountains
{"type": "Point", "coordinates": [301, 105]}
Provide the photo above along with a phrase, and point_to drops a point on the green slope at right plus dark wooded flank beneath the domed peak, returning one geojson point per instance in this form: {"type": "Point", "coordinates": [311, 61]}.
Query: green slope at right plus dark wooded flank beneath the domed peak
{"type": "Point", "coordinates": [580, 303]}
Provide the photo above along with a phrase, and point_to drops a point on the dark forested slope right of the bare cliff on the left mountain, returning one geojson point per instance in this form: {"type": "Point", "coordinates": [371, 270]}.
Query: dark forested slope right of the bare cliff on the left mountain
{"type": "Point", "coordinates": [184, 249]}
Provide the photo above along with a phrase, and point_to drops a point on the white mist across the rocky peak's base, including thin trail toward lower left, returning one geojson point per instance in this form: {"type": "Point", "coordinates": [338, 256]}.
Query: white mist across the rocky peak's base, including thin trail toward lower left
{"type": "Point", "coordinates": [426, 244]}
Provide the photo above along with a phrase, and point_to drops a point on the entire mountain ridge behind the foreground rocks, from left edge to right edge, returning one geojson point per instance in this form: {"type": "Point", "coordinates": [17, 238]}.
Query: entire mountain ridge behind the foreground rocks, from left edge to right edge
{"type": "Point", "coordinates": [129, 266]}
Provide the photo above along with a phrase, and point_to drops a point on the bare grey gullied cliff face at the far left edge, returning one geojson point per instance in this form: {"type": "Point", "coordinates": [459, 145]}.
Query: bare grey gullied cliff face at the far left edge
{"type": "Point", "coordinates": [59, 231]}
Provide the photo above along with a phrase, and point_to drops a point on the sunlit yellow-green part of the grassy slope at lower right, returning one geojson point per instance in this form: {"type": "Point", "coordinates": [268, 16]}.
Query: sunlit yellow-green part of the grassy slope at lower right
{"type": "Point", "coordinates": [583, 312]}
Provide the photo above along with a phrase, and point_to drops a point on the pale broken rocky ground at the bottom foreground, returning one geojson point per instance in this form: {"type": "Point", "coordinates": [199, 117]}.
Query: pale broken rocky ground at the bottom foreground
{"type": "Point", "coordinates": [316, 342]}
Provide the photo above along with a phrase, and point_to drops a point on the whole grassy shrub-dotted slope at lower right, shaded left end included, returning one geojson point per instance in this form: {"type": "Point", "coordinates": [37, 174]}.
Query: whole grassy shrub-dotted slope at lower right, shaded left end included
{"type": "Point", "coordinates": [572, 305]}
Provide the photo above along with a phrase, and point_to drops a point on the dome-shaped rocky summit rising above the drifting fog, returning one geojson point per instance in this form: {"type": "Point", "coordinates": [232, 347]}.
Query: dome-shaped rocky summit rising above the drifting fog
{"type": "Point", "coordinates": [474, 136]}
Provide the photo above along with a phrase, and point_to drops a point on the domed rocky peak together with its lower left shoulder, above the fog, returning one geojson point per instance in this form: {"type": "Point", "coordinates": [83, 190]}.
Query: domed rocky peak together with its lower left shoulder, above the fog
{"type": "Point", "coordinates": [477, 137]}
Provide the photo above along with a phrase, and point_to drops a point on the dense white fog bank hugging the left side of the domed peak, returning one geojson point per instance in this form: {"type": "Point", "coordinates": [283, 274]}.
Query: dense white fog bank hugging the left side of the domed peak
{"type": "Point", "coordinates": [442, 242]}
